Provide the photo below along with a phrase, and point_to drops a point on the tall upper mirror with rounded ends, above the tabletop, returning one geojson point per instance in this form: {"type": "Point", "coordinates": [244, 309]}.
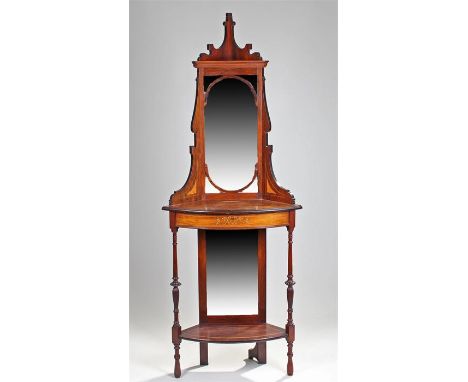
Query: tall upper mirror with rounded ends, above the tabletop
{"type": "Point", "coordinates": [230, 131]}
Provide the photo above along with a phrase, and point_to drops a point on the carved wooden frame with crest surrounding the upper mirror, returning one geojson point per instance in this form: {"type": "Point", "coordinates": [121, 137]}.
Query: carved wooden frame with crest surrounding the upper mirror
{"type": "Point", "coordinates": [230, 60]}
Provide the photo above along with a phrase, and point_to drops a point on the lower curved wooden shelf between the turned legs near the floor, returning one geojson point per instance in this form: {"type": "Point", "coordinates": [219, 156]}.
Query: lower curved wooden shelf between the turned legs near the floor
{"type": "Point", "coordinates": [232, 333]}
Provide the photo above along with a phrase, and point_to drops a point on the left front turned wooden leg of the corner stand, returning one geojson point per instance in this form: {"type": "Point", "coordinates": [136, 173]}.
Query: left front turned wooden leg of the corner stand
{"type": "Point", "coordinates": [175, 297]}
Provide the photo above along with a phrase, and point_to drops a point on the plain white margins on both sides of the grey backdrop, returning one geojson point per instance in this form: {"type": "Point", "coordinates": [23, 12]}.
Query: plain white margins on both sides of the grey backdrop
{"type": "Point", "coordinates": [402, 191]}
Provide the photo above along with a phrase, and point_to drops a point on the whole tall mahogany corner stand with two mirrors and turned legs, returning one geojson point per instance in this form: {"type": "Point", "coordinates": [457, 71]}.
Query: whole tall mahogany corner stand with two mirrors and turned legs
{"type": "Point", "coordinates": [203, 203]}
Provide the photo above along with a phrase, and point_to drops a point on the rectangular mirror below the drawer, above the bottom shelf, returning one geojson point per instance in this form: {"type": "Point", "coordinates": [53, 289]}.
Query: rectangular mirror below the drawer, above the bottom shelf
{"type": "Point", "coordinates": [231, 272]}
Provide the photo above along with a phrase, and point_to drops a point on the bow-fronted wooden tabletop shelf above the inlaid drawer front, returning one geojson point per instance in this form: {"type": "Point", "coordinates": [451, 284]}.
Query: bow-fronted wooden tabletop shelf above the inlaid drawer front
{"type": "Point", "coordinates": [232, 207]}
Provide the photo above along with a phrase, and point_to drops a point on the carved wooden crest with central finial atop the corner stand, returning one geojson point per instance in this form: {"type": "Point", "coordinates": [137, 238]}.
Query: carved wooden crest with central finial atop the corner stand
{"type": "Point", "coordinates": [229, 50]}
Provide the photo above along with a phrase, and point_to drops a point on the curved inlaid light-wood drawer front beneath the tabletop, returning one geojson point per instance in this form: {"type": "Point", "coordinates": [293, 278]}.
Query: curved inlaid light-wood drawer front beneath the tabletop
{"type": "Point", "coordinates": [247, 221]}
